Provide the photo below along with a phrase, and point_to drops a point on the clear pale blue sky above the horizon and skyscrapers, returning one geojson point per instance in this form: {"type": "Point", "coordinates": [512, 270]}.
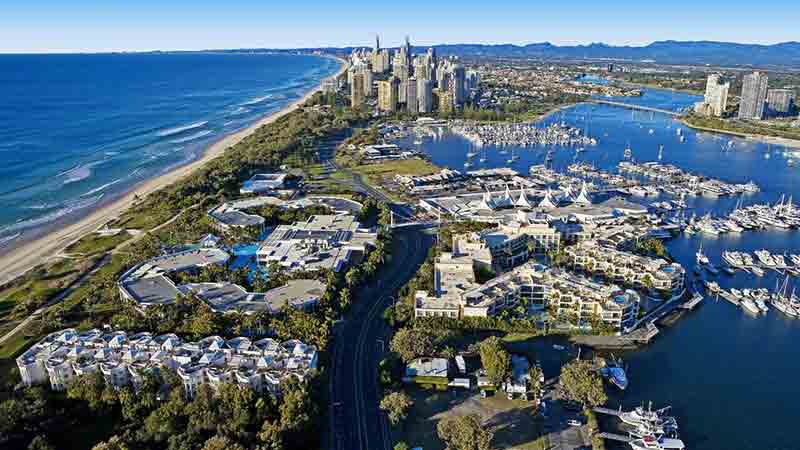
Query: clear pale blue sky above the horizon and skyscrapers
{"type": "Point", "coordinates": [36, 26]}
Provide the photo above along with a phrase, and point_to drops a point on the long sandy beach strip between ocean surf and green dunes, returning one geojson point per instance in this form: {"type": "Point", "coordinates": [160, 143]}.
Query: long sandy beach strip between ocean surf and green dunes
{"type": "Point", "coordinates": [26, 256]}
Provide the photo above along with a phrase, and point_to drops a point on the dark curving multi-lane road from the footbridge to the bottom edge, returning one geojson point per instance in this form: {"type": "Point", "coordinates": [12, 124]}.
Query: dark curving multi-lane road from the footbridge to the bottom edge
{"type": "Point", "coordinates": [360, 342]}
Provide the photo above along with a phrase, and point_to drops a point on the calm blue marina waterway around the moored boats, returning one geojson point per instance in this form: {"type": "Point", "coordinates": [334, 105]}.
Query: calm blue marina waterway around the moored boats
{"type": "Point", "coordinates": [731, 378]}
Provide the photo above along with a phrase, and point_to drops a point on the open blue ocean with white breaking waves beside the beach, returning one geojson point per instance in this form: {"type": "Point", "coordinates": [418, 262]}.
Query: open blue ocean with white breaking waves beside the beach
{"type": "Point", "coordinates": [79, 130]}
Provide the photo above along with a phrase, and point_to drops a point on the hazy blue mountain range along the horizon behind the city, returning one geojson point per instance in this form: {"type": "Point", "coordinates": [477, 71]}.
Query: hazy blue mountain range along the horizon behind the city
{"type": "Point", "coordinates": [785, 54]}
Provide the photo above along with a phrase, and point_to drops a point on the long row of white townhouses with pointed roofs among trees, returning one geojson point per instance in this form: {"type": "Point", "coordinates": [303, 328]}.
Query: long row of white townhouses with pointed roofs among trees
{"type": "Point", "coordinates": [125, 358]}
